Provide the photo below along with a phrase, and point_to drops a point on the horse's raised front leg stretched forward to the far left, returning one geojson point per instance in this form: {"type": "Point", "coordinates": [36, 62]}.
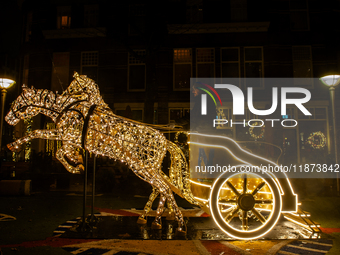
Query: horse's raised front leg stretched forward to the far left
{"type": "Point", "coordinates": [51, 134]}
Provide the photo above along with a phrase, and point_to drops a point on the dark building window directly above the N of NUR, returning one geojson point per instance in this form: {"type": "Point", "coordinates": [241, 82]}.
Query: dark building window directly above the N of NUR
{"type": "Point", "coordinates": [230, 62]}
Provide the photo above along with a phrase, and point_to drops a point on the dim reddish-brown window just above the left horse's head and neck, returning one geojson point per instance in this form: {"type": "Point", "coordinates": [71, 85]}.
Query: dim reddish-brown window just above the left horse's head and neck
{"type": "Point", "coordinates": [60, 71]}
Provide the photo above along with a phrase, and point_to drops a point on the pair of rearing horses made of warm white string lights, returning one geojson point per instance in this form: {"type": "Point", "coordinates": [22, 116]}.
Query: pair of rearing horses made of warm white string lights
{"type": "Point", "coordinates": [84, 121]}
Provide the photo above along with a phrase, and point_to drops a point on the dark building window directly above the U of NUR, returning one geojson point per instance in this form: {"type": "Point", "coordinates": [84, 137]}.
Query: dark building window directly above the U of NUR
{"type": "Point", "coordinates": [253, 65]}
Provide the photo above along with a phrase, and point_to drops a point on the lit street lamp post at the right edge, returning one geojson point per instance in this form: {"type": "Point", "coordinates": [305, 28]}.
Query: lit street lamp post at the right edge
{"type": "Point", "coordinates": [332, 81]}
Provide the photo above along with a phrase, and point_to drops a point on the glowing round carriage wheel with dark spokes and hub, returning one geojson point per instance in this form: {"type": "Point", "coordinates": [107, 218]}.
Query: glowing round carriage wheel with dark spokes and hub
{"type": "Point", "coordinates": [245, 205]}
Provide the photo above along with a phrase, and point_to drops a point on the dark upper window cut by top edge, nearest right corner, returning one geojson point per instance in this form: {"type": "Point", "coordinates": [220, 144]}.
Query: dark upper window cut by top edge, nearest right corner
{"type": "Point", "coordinates": [299, 18]}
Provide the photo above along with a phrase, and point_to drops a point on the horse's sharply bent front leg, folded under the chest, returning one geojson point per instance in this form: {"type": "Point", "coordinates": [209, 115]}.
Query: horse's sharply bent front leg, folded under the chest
{"type": "Point", "coordinates": [71, 152]}
